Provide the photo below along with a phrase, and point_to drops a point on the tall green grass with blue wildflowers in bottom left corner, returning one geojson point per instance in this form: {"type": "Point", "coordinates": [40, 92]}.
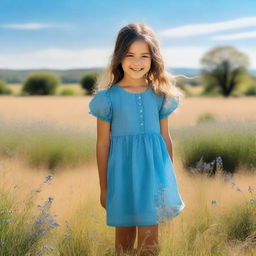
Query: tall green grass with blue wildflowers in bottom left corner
{"type": "Point", "coordinates": [22, 232]}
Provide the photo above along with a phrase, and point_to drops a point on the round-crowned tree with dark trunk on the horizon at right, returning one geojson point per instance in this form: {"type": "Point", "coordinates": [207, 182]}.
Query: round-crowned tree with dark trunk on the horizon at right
{"type": "Point", "coordinates": [223, 67]}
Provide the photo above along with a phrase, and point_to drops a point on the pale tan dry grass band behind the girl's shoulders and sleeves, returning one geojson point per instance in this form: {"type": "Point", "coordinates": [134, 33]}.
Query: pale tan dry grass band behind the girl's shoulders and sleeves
{"type": "Point", "coordinates": [73, 110]}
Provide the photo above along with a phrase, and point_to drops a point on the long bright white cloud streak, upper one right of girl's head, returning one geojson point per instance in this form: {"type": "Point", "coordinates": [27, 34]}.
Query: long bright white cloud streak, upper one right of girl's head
{"type": "Point", "coordinates": [208, 28]}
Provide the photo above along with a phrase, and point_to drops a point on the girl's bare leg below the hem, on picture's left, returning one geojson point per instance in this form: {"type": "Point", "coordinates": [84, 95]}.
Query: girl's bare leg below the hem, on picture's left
{"type": "Point", "coordinates": [125, 238]}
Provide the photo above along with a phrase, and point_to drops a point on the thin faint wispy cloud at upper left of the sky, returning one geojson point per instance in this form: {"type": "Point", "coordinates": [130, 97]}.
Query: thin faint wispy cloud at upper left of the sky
{"type": "Point", "coordinates": [31, 26]}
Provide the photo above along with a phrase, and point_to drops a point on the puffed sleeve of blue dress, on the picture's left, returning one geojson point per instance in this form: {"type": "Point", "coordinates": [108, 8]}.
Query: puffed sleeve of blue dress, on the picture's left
{"type": "Point", "coordinates": [100, 106]}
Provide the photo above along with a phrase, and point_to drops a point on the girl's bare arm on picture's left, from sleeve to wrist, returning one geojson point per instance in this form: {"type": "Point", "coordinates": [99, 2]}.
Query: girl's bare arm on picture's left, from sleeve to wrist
{"type": "Point", "coordinates": [102, 151]}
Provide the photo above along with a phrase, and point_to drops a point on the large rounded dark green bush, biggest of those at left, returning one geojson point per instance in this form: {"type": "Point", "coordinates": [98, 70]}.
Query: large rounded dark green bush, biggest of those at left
{"type": "Point", "coordinates": [43, 83]}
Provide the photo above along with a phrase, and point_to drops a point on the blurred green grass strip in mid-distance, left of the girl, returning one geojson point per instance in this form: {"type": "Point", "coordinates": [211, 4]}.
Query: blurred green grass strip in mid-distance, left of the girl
{"type": "Point", "coordinates": [43, 145]}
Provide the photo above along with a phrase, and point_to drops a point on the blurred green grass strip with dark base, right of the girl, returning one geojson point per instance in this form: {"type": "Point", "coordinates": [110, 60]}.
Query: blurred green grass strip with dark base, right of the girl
{"type": "Point", "coordinates": [234, 142]}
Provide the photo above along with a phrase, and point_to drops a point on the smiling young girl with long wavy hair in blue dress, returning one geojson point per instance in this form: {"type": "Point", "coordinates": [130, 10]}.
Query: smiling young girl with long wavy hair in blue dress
{"type": "Point", "coordinates": [134, 98]}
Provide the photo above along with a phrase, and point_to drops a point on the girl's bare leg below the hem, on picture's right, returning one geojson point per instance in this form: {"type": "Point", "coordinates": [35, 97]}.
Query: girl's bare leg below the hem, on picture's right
{"type": "Point", "coordinates": [148, 243]}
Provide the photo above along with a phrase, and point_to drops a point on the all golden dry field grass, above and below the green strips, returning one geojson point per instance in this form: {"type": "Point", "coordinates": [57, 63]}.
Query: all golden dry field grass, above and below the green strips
{"type": "Point", "coordinates": [76, 188]}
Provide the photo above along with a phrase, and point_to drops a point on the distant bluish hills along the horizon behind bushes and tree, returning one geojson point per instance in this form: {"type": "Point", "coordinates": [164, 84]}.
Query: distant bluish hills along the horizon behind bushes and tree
{"type": "Point", "coordinates": [75, 75]}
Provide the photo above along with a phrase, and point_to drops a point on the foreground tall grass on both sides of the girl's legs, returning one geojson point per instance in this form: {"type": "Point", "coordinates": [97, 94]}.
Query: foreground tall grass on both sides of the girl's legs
{"type": "Point", "coordinates": [210, 230]}
